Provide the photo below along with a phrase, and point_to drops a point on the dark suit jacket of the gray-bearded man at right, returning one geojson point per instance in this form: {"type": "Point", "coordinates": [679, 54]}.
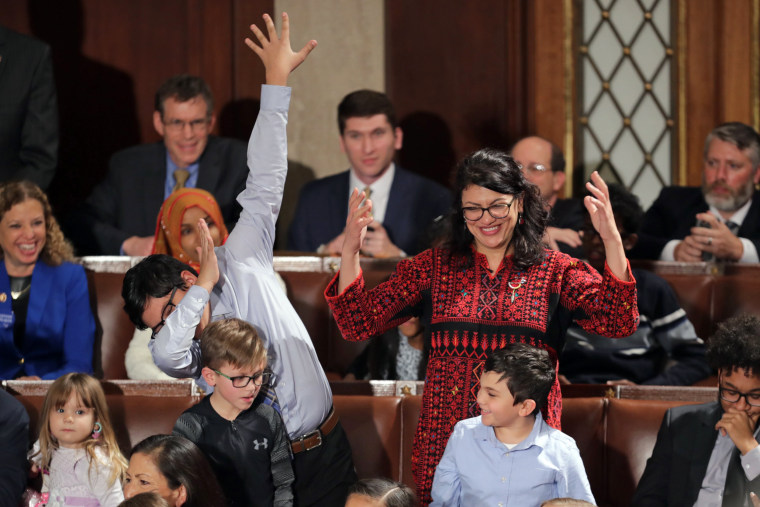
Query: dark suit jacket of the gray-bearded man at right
{"type": "Point", "coordinates": [673, 215]}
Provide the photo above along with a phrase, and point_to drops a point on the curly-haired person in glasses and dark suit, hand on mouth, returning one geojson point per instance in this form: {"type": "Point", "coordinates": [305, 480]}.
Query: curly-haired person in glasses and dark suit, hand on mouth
{"type": "Point", "coordinates": [709, 453]}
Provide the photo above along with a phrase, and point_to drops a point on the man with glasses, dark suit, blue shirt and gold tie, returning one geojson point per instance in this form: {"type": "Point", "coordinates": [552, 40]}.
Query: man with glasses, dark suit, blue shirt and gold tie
{"type": "Point", "coordinates": [120, 214]}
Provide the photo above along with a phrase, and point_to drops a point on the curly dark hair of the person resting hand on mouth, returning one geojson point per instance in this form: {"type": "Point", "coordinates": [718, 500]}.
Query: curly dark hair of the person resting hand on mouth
{"type": "Point", "coordinates": [736, 345]}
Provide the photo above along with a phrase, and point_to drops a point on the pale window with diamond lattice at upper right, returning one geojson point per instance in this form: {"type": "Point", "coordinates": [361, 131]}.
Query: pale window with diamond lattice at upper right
{"type": "Point", "coordinates": [626, 95]}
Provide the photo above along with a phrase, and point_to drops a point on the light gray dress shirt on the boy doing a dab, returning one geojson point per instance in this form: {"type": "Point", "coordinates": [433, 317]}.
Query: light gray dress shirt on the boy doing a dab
{"type": "Point", "coordinates": [248, 288]}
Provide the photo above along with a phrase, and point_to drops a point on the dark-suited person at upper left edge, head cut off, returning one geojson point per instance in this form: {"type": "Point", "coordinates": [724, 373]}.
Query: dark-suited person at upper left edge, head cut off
{"type": "Point", "coordinates": [28, 110]}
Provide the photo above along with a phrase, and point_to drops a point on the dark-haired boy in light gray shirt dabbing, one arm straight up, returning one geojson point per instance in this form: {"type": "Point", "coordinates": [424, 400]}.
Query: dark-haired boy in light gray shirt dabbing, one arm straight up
{"type": "Point", "coordinates": [237, 280]}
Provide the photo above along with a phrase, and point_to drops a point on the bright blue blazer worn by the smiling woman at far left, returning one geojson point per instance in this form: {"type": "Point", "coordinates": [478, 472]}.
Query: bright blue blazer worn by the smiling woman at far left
{"type": "Point", "coordinates": [60, 328]}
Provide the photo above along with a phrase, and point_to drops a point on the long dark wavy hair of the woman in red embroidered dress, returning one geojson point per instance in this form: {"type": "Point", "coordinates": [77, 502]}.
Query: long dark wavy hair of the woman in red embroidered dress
{"type": "Point", "coordinates": [497, 171]}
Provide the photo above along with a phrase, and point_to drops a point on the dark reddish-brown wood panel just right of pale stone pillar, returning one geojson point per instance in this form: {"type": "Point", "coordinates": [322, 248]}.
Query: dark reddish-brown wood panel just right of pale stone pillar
{"type": "Point", "coordinates": [463, 64]}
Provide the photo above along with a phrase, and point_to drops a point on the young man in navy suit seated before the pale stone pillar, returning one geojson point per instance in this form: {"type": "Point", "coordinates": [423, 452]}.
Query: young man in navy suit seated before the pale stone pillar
{"type": "Point", "coordinates": [404, 204]}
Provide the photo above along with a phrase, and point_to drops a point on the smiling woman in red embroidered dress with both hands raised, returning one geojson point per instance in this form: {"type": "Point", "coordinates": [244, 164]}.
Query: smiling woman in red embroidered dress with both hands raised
{"type": "Point", "coordinates": [491, 284]}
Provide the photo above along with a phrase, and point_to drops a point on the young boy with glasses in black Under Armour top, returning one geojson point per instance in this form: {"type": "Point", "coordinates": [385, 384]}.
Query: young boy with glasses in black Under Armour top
{"type": "Point", "coordinates": [244, 439]}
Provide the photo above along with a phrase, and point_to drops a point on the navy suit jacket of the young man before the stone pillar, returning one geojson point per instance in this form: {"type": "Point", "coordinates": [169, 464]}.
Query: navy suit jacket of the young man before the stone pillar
{"type": "Point", "coordinates": [413, 204]}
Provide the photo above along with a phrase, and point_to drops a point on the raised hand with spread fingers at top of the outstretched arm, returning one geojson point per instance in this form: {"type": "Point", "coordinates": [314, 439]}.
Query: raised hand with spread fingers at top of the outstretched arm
{"type": "Point", "coordinates": [275, 52]}
